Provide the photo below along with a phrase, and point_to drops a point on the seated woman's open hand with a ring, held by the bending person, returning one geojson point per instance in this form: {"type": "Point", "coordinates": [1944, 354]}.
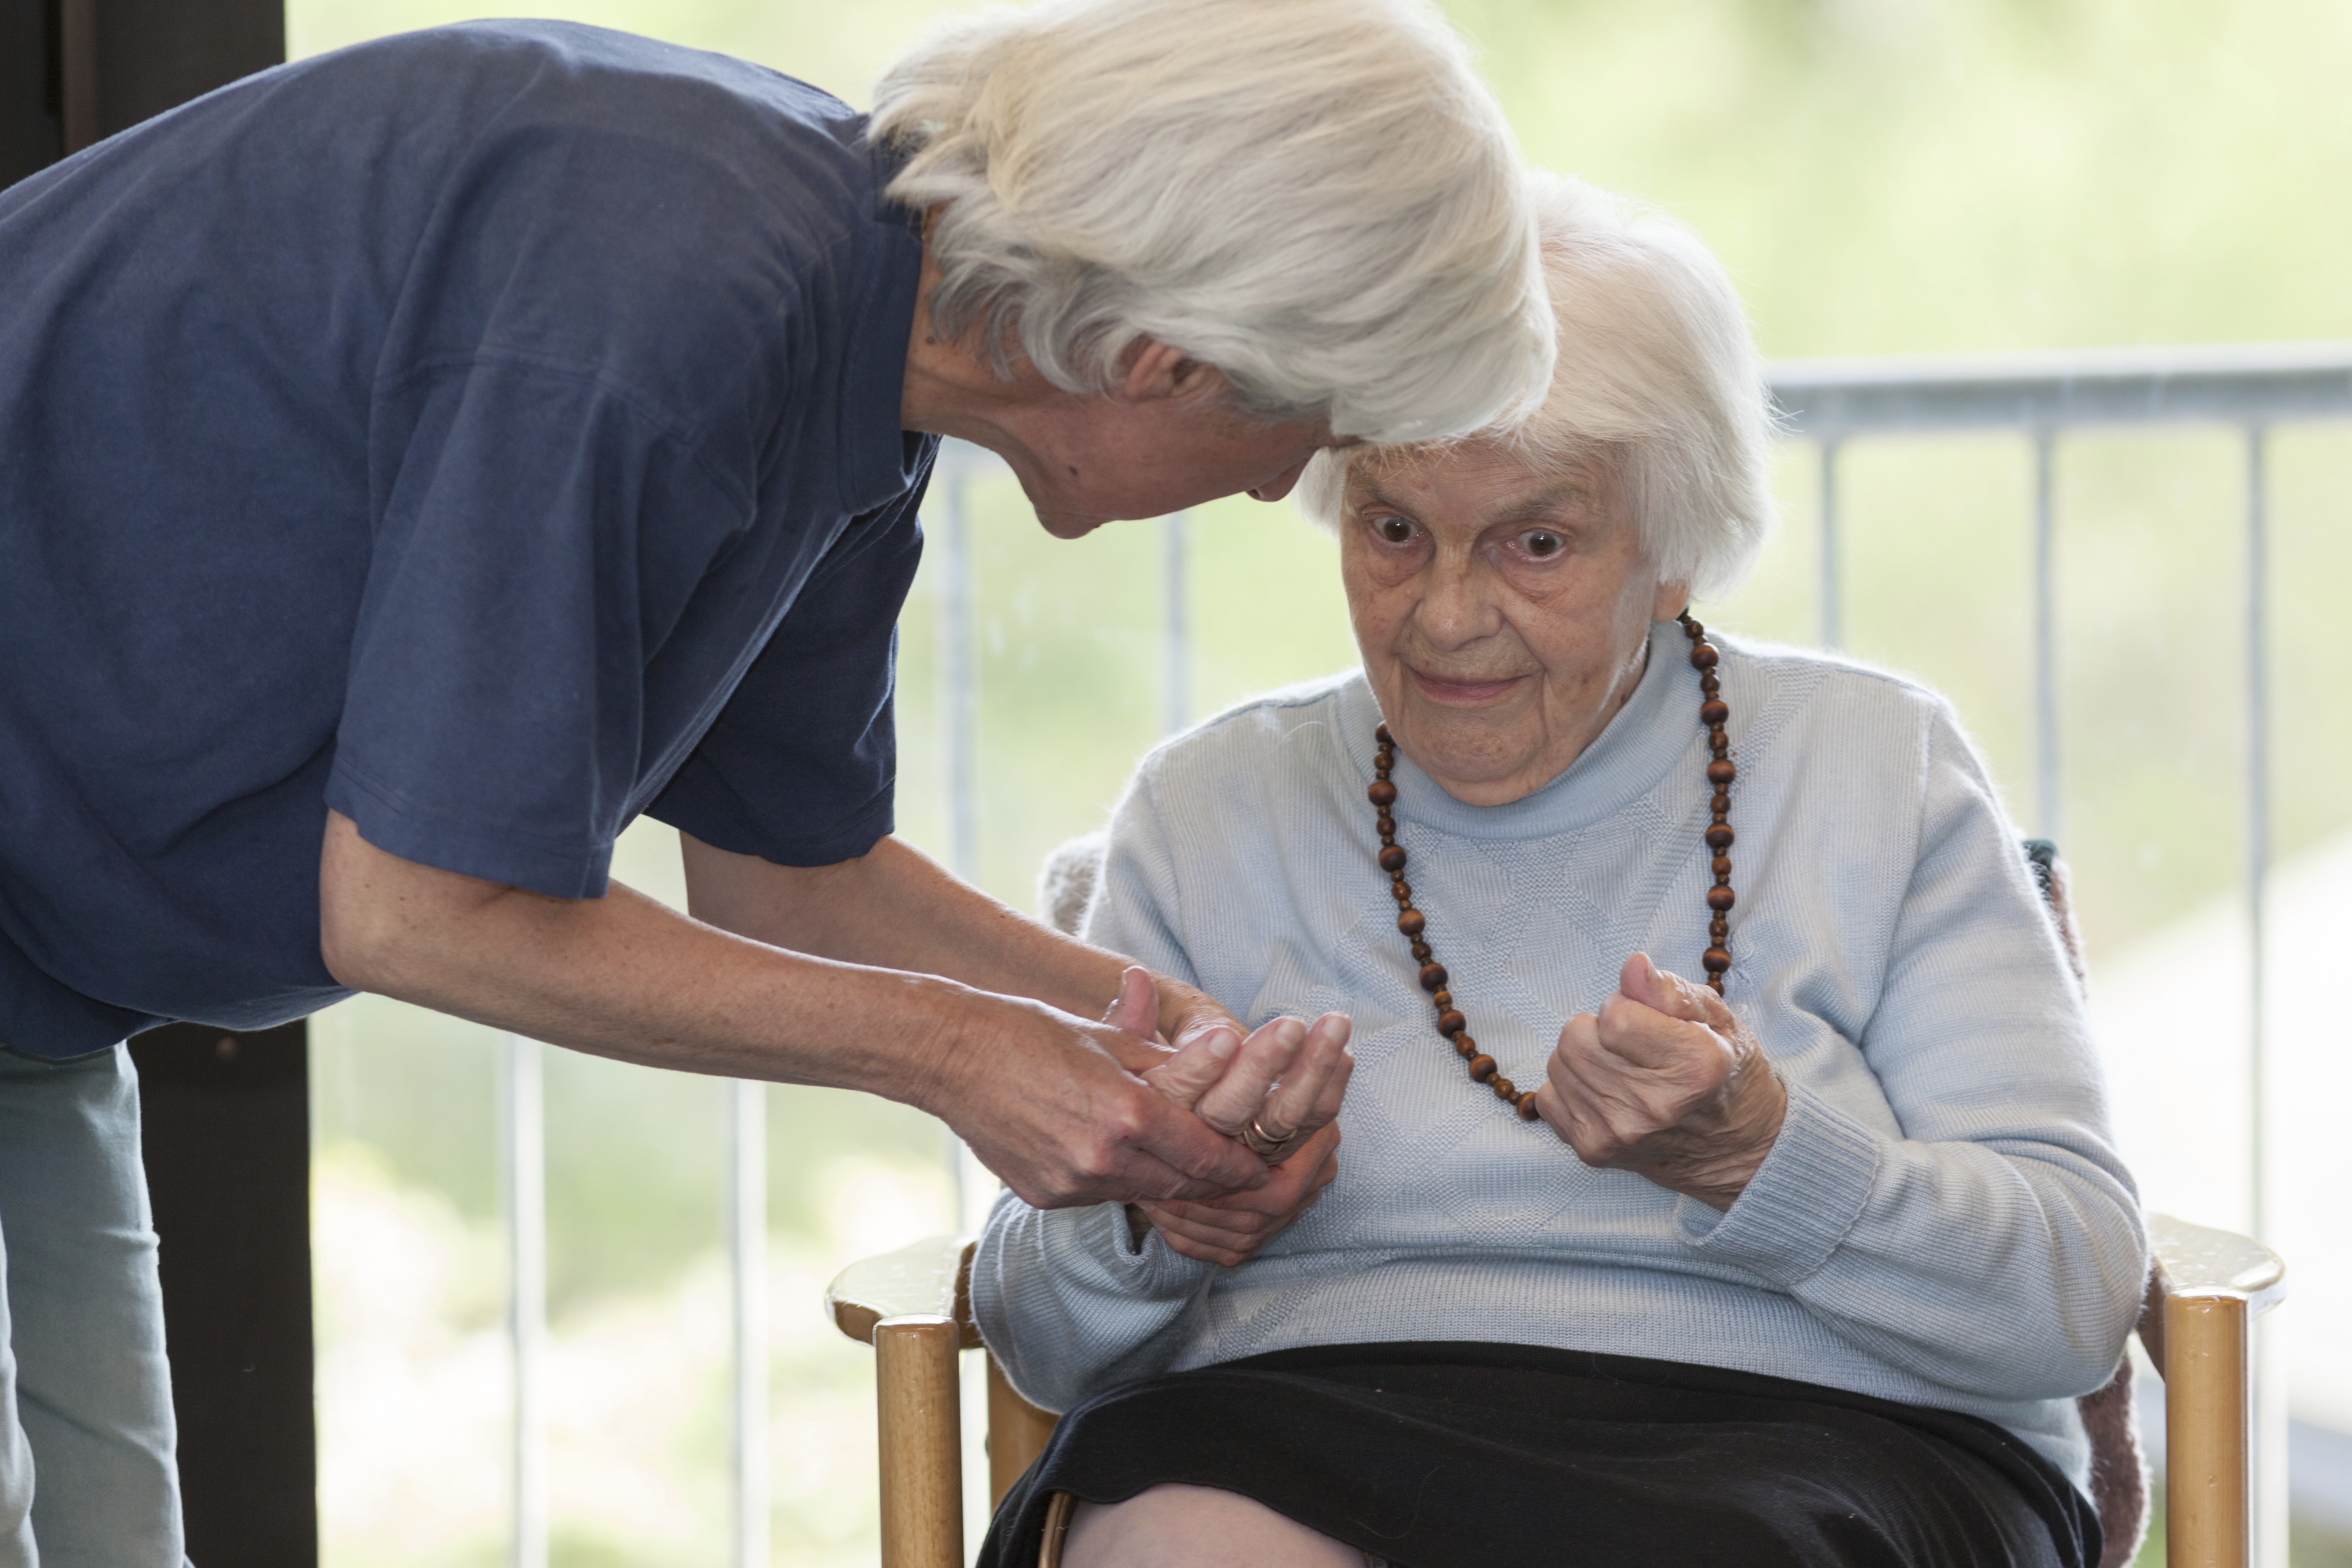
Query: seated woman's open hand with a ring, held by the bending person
{"type": "Point", "coordinates": [1285, 1080]}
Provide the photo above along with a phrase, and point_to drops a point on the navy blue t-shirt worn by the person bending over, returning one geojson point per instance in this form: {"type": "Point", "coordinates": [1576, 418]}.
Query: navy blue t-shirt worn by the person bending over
{"type": "Point", "coordinates": [488, 434]}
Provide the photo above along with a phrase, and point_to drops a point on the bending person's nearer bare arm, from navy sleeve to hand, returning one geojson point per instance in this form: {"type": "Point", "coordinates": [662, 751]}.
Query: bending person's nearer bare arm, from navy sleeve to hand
{"type": "Point", "coordinates": [1038, 1092]}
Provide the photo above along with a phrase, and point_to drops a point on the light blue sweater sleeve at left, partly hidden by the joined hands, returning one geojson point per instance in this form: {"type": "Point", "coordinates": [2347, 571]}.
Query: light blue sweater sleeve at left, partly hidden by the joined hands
{"type": "Point", "coordinates": [1067, 1299]}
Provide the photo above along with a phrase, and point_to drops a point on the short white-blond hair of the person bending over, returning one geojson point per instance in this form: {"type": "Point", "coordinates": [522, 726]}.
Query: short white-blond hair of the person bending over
{"type": "Point", "coordinates": [1314, 196]}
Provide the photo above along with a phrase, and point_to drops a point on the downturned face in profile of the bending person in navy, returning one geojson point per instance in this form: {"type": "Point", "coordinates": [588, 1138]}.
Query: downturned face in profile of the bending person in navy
{"type": "Point", "coordinates": [1104, 460]}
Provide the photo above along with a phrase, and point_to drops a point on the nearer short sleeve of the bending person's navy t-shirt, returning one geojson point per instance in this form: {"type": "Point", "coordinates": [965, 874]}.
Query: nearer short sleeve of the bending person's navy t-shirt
{"type": "Point", "coordinates": [540, 530]}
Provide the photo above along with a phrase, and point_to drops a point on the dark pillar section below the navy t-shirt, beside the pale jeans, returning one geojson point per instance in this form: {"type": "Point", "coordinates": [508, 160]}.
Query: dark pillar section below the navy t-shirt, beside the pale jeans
{"type": "Point", "coordinates": [227, 1125]}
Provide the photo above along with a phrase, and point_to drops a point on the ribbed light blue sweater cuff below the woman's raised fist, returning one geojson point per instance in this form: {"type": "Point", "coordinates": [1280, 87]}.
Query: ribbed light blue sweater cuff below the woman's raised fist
{"type": "Point", "coordinates": [1803, 1202]}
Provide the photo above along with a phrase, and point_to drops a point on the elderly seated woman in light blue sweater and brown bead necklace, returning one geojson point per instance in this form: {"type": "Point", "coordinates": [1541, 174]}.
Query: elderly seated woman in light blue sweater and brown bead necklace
{"type": "Point", "coordinates": [1728, 1170]}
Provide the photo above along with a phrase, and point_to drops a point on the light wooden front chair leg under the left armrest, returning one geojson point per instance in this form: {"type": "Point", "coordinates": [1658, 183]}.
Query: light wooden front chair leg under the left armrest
{"type": "Point", "coordinates": [921, 1419]}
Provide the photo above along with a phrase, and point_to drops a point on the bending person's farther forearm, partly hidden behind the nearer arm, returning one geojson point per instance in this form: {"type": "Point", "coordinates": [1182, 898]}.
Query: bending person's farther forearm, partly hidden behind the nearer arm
{"type": "Point", "coordinates": [897, 909]}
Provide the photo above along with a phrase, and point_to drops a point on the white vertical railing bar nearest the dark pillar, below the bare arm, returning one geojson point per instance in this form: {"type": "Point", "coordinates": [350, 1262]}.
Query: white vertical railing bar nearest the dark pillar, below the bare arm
{"type": "Point", "coordinates": [526, 1188]}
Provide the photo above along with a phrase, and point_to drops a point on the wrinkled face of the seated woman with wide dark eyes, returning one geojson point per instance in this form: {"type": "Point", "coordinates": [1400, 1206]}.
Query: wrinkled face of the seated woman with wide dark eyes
{"type": "Point", "coordinates": [1504, 615]}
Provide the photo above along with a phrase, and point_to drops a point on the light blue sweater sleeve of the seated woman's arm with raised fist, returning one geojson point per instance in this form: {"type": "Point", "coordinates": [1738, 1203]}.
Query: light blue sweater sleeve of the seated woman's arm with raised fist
{"type": "Point", "coordinates": [1996, 1245]}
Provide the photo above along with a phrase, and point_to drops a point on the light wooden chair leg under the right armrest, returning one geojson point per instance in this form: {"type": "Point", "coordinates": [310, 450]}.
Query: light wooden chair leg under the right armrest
{"type": "Point", "coordinates": [2207, 1449]}
